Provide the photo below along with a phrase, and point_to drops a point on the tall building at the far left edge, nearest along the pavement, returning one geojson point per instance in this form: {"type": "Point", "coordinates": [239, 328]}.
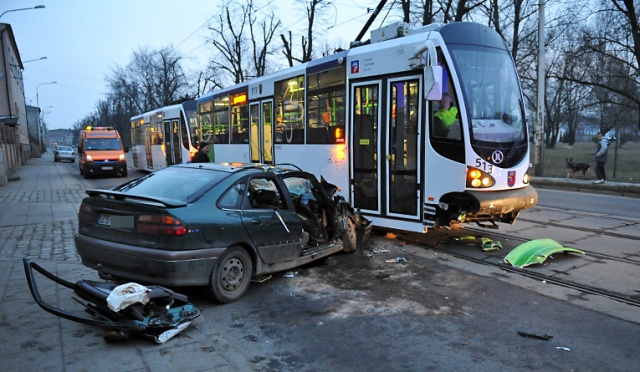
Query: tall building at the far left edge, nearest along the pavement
{"type": "Point", "coordinates": [14, 132]}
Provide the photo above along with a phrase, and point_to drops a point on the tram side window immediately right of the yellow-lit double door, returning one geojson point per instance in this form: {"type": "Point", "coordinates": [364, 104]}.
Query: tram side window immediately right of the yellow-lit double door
{"type": "Point", "coordinates": [289, 111]}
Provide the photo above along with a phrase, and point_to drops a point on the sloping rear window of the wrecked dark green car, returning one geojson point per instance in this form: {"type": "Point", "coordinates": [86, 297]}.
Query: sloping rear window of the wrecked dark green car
{"type": "Point", "coordinates": [176, 183]}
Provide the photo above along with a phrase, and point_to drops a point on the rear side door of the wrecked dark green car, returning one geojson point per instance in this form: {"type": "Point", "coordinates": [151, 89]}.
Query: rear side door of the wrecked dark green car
{"type": "Point", "coordinates": [274, 228]}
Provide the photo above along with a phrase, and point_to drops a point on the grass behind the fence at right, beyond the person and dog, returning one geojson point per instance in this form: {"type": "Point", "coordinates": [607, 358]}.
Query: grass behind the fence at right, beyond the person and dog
{"type": "Point", "coordinates": [626, 166]}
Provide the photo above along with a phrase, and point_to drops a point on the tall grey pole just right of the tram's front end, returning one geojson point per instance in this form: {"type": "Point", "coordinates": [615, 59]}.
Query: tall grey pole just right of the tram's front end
{"type": "Point", "coordinates": [539, 140]}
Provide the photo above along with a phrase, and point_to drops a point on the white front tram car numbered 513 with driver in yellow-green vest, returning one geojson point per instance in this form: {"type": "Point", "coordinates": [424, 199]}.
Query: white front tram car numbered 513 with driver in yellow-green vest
{"type": "Point", "coordinates": [418, 127]}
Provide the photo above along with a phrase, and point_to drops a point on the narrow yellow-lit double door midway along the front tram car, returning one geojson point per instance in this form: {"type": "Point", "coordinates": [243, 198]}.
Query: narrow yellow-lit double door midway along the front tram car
{"type": "Point", "coordinates": [261, 132]}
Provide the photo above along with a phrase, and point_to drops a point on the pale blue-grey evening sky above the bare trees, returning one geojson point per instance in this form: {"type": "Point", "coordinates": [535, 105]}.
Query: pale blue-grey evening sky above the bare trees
{"type": "Point", "coordinates": [84, 40]}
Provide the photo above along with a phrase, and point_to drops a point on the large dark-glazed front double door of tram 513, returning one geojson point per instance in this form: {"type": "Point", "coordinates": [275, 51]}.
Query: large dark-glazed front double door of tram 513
{"type": "Point", "coordinates": [385, 150]}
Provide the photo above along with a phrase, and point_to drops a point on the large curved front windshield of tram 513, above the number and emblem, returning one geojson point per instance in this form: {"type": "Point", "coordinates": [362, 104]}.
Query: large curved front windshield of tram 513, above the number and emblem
{"type": "Point", "coordinates": [493, 100]}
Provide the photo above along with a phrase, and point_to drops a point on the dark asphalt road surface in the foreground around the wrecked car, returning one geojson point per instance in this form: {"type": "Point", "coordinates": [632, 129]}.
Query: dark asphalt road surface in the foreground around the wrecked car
{"type": "Point", "coordinates": [355, 312]}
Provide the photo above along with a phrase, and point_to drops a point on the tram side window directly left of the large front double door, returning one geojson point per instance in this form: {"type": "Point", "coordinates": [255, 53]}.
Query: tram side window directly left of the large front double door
{"type": "Point", "coordinates": [326, 107]}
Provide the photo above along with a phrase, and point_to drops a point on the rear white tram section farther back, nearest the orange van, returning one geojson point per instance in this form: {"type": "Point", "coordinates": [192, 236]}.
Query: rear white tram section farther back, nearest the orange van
{"type": "Point", "coordinates": [164, 136]}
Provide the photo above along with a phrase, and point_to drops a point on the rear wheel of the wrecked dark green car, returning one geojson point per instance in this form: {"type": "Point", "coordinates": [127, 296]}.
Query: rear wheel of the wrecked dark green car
{"type": "Point", "coordinates": [231, 275]}
